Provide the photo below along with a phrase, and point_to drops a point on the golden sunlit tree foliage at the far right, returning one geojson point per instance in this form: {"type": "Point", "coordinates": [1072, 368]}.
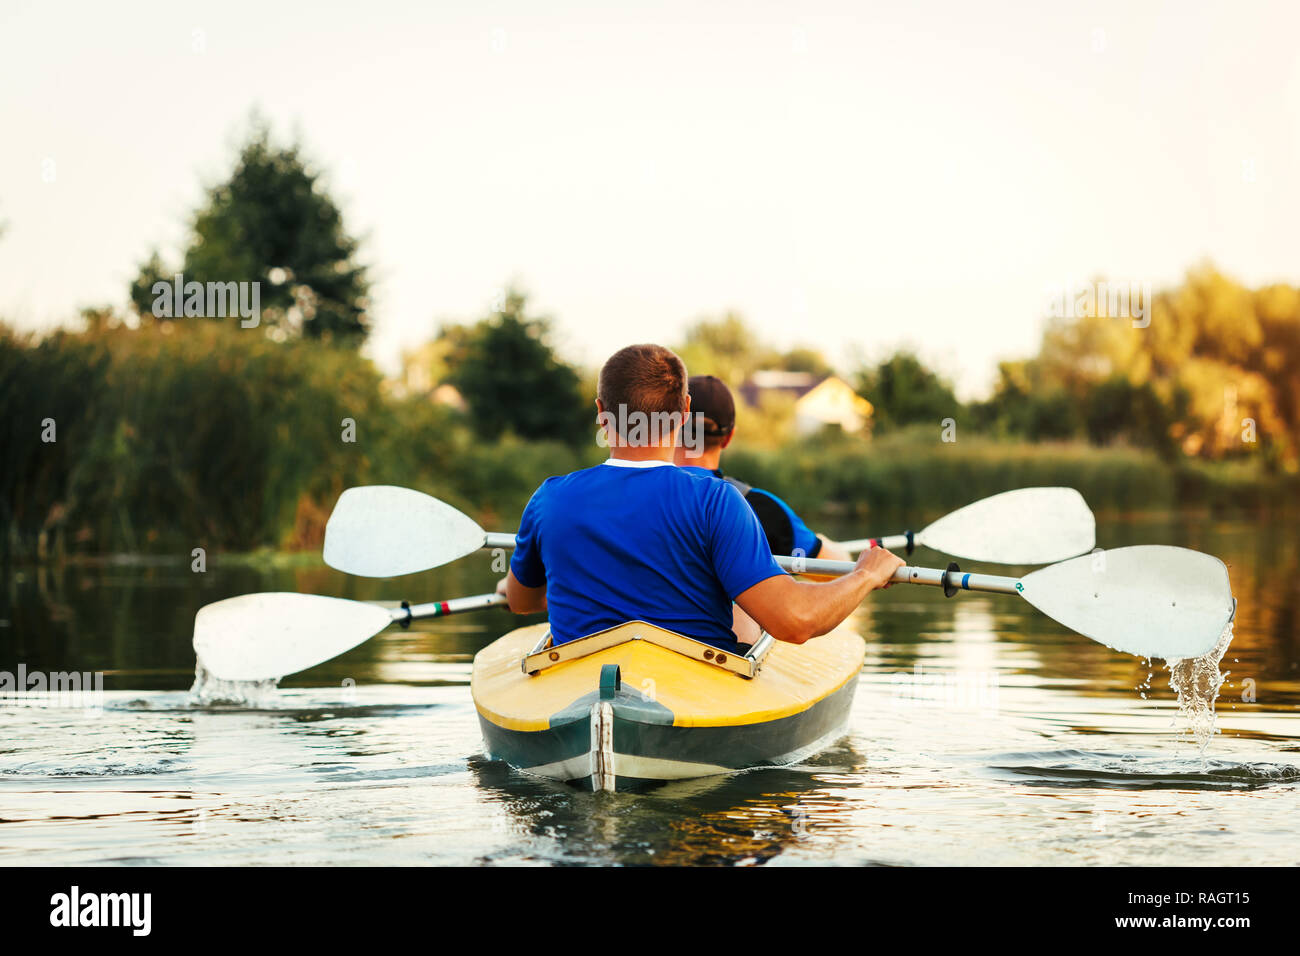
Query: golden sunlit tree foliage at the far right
{"type": "Point", "coordinates": [1212, 364]}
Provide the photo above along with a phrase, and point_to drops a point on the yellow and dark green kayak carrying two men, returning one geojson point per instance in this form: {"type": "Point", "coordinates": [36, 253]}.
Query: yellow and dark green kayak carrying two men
{"type": "Point", "coordinates": [638, 706]}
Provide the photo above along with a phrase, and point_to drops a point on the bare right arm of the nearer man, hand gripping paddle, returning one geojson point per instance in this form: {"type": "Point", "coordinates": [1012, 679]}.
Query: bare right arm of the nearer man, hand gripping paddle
{"type": "Point", "coordinates": [798, 612]}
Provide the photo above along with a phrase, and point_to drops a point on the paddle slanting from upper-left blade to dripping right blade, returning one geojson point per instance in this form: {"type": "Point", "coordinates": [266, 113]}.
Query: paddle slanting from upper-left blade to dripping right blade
{"type": "Point", "coordinates": [1151, 600]}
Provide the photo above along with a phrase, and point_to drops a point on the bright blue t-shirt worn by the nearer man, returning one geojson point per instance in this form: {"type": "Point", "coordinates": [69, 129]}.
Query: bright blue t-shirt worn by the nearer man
{"type": "Point", "coordinates": [660, 544]}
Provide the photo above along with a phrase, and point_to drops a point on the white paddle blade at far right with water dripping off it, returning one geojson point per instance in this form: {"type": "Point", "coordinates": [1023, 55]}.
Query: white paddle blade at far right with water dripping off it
{"type": "Point", "coordinates": [1151, 600]}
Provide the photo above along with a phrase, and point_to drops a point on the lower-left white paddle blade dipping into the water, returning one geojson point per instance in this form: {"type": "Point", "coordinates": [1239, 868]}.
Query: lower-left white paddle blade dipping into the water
{"type": "Point", "coordinates": [265, 637]}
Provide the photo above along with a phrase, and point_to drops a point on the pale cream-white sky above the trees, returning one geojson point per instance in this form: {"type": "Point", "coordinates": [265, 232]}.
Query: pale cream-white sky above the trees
{"type": "Point", "coordinates": [853, 176]}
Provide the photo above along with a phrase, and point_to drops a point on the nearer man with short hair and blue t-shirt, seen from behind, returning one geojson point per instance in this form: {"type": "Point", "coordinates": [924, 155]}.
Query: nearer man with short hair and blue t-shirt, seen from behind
{"type": "Point", "coordinates": [638, 538]}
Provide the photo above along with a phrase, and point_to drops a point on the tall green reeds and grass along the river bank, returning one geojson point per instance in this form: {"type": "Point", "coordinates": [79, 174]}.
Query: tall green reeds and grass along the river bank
{"type": "Point", "coordinates": [167, 443]}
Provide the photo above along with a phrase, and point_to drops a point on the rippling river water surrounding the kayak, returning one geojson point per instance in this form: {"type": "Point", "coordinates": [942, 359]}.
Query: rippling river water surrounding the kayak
{"type": "Point", "coordinates": [982, 734]}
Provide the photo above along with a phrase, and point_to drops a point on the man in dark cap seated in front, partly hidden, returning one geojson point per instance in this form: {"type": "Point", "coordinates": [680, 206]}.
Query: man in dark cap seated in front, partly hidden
{"type": "Point", "coordinates": [710, 430]}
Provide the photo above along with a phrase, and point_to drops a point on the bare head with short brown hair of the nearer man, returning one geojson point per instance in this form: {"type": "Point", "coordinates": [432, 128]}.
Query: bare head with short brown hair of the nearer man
{"type": "Point", "coordinates": [642, 396]}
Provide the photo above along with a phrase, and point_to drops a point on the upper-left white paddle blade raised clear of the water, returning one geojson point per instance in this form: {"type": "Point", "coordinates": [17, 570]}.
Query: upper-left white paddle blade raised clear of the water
{"type": "Point", "coordinates": [384, 531]}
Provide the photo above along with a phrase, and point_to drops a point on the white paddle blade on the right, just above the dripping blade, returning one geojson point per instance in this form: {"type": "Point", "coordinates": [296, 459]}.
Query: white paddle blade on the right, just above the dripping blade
{"type": "Point", "coordinates": [1029, 526]}
